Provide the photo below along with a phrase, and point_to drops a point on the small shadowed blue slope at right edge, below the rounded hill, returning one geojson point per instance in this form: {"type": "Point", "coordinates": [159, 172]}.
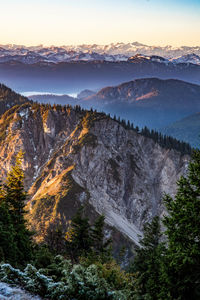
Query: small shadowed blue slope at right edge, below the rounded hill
{"type": "Point", "coordinates": [187, 129]}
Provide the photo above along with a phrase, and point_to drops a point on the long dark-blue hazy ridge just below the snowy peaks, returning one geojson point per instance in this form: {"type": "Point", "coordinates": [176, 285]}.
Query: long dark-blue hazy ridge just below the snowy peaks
{"type": "Point", "coordinates": [74, 76]}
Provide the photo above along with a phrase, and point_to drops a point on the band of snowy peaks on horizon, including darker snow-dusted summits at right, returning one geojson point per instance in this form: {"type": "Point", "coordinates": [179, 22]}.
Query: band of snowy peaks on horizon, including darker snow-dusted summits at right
{"type": "Point", "coordinates": [112, 52]}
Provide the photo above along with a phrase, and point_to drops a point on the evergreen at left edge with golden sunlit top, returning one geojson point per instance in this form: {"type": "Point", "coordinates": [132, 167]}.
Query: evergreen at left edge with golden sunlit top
{"type": "Point", "coordinates": [12, 203]}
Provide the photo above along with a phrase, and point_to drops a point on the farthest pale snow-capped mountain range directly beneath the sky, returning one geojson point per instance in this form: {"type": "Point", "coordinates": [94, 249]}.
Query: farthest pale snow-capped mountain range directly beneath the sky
{"type": "Point", "coordinates": [113, 52]}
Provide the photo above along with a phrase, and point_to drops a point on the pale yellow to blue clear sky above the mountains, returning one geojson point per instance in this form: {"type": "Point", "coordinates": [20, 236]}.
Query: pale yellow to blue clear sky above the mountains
{"type": "Point", "coordinates": [68, 22]}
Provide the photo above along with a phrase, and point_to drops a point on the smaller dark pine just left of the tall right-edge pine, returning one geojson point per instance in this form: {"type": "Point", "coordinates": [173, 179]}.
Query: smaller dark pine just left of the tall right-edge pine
{"type": "Point", "coordinates": [147, 263]}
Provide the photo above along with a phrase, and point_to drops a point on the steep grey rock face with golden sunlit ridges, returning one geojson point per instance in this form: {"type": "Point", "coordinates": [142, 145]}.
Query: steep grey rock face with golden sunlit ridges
{"type": "Point", "coordinates": [74, 157]}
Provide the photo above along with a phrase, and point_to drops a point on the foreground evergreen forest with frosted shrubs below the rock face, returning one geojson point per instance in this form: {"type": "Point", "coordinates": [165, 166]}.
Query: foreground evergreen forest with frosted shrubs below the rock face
{"type": "Point", "coordinates": [78, 263]}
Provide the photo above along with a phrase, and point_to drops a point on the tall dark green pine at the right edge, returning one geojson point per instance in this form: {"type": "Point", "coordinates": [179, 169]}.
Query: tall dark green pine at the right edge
{"type": "Point", "coordinates": [183, 232]}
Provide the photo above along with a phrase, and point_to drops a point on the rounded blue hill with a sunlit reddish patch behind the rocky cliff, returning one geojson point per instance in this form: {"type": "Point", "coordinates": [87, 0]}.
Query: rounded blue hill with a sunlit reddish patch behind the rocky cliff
{"type": "Point", "coordinates": [148, 102]}
